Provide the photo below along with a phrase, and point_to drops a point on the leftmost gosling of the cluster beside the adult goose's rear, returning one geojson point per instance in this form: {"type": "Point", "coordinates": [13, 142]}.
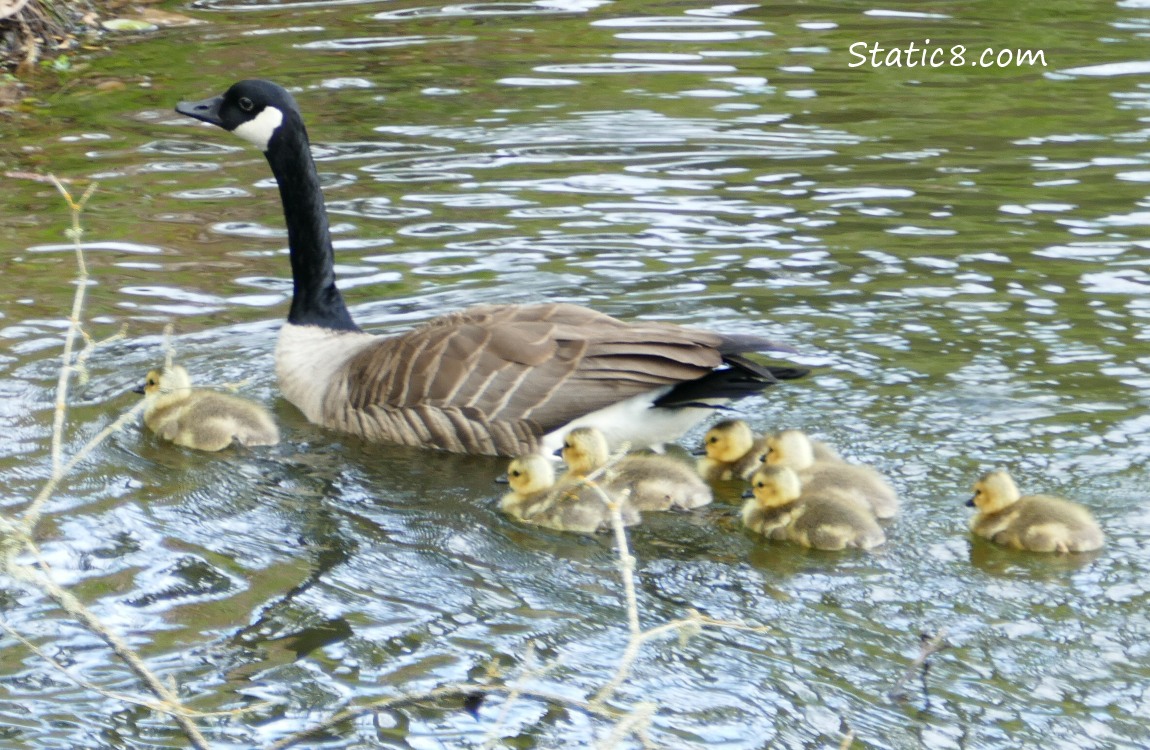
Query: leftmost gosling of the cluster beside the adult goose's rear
{"type": "Point", "coordinates": [569, 507]}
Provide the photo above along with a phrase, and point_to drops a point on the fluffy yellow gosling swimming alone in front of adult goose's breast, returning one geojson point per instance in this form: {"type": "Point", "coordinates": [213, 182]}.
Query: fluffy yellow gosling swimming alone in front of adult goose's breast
{"type": "Point", "coordinates": [202, 419]}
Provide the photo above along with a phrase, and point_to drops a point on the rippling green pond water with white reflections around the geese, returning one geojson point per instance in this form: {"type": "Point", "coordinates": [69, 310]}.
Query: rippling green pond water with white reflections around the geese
{"type": "Point", "coordinates": [961, 250]}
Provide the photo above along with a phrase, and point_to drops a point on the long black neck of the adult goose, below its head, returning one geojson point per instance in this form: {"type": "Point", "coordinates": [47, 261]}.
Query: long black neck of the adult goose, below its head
{"type": "Point", "coordinates": [316, 300]}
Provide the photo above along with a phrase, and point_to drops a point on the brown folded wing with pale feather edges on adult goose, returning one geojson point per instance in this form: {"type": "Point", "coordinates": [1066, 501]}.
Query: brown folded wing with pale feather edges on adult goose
{"type": "Point", "coordinates": [510, 363]}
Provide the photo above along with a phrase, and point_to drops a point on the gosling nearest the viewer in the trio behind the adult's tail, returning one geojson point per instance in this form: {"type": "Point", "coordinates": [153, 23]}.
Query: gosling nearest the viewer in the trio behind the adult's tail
{"type": "Point", "coordinates": [781, 509]}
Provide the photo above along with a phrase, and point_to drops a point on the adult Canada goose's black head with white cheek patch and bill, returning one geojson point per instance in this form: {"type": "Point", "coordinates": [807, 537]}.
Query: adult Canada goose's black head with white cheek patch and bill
{"type": "Point", "coordinates": [254, 110]}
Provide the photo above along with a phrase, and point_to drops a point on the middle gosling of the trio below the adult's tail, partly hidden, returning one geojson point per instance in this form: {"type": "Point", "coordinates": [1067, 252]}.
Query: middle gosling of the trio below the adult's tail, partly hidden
{"type": "Point", "coordinates": [794, 449]}
